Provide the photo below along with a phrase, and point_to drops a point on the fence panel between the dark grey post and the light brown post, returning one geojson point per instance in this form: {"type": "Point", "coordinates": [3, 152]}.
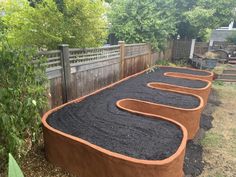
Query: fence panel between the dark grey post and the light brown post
{"type": "Point", "coordinates": [92, 69]}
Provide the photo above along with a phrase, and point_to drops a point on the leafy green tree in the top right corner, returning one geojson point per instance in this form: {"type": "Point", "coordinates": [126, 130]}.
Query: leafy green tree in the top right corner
{"type": "Point", "coordinates": [196, 17]}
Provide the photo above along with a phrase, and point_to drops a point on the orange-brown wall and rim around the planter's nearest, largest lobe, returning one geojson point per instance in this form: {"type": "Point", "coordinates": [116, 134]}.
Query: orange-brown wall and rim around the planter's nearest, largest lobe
{"type": "Point", "coordinates": [88, 160]}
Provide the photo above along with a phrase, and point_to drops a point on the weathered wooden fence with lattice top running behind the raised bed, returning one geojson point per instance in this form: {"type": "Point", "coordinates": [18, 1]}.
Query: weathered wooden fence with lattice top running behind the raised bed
{"type": "Point", "coordinates": [75, 72]}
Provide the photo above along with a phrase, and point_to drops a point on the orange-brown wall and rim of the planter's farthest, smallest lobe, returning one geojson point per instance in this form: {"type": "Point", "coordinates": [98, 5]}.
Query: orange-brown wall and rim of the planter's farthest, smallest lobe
{"type": "Point", "coordinates": [209, 75]}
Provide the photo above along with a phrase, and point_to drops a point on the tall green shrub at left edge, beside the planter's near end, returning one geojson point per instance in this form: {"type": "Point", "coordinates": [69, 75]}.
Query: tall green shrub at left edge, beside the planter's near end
{"type": "Point", "coordinates": [22, 98]}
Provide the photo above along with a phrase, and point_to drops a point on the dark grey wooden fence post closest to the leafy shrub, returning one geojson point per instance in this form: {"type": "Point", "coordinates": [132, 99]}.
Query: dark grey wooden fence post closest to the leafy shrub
{"type": "Point", "coordinates": [66, 72]}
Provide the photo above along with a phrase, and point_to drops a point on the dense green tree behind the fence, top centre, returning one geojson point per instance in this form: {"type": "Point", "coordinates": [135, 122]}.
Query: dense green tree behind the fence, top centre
{"type": "Point", "coordinates": [143, 21]}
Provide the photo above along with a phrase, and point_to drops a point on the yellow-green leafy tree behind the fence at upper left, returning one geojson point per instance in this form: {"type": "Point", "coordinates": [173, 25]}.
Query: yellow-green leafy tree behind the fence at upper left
{"type": "Point", "coordinates": [27, 26]}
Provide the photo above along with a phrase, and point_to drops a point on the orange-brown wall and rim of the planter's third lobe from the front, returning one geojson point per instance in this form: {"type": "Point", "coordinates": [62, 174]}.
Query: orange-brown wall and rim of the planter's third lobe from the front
{"type": "Point", "coordinates": [202, 92]}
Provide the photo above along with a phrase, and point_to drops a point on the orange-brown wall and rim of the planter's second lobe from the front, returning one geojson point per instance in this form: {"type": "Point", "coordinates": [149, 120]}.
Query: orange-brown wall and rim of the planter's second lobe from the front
{"type": "Point", "coordinates": [190, 118]}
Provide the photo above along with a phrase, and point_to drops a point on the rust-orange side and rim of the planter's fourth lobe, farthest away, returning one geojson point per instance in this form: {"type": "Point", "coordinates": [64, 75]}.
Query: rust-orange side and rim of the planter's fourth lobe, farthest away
{"type": "Point", "coordinates": [202, 74]}
